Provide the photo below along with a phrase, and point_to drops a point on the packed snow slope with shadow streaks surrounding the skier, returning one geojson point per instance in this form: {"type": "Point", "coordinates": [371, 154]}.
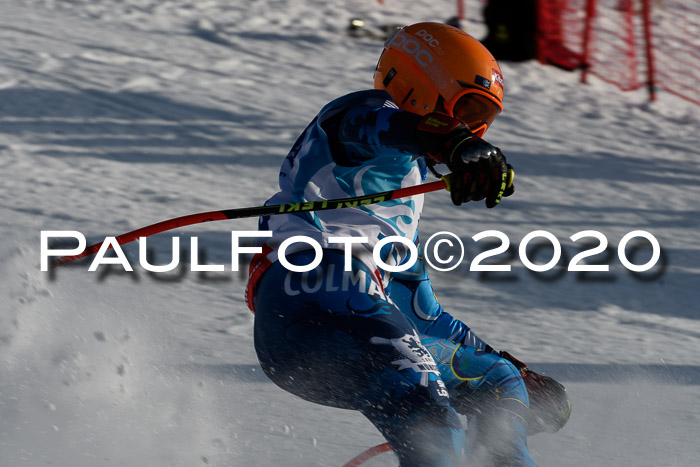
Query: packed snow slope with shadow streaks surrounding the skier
{"type": "Point", "coordinates": [118, 114]}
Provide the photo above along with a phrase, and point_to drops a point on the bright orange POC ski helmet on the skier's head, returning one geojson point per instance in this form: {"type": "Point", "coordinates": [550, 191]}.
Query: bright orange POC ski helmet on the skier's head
{"type": "Point", "coordinates": [433, 67]}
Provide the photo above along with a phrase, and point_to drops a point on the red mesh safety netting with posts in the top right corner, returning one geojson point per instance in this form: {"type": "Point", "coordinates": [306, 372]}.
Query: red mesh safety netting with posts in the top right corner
{"type": "Point", "coordinates": [621, 42]}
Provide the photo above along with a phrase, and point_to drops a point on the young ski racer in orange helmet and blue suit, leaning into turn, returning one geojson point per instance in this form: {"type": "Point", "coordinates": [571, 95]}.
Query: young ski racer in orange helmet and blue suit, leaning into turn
{"type": "Point", "coordinates": [353, 335]}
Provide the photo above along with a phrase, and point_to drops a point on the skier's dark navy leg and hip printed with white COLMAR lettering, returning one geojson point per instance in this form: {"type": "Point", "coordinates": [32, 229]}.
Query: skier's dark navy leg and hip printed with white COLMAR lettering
{"type": "Point", "coordinates": [354, 349]}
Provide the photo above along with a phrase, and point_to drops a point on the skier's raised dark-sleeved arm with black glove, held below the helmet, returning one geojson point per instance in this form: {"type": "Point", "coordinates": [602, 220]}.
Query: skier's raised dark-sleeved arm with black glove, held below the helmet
{"type": "Point", "coordinates": [368, 130]}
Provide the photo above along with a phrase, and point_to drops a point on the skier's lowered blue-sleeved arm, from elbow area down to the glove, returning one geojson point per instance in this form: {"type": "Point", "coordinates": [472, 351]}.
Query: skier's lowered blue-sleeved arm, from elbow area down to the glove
{"type": "Point", "coordinates": [413, 294]}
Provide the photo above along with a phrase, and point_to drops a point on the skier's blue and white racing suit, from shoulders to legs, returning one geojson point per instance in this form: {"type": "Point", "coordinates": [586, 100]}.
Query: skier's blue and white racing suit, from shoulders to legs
{"type": "Point", "coordinates": [368, 339]}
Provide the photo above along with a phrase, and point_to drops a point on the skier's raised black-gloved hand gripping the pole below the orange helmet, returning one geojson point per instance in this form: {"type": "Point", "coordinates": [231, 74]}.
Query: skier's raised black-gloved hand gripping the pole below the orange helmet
{"type": "Point", "coordinates": [479, 170]}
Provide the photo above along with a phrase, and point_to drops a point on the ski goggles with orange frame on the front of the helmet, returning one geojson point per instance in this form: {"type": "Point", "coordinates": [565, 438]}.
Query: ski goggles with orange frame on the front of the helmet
{"type": "Point", "coordinates": [476, 108]}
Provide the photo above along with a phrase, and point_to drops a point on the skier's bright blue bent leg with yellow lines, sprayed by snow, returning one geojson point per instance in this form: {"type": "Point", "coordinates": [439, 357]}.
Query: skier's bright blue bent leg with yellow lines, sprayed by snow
{"type": "Point", "coordinates": [491, 392]}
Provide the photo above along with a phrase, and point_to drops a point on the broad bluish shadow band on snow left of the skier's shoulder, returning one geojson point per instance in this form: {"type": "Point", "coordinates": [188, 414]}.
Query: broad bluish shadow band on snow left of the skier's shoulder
{"type": "Point", "coordinates": [134, 127]}
